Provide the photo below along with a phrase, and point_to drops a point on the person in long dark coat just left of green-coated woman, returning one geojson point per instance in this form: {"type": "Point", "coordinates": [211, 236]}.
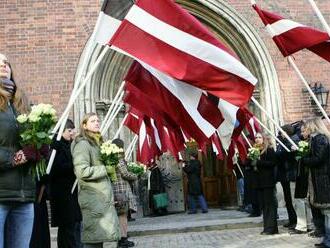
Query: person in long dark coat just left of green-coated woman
{"type": "Point", "coordinates": [65, 210]}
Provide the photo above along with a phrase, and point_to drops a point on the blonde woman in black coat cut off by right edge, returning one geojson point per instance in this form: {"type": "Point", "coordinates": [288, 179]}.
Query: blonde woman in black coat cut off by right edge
{"type": "Point", "coordinates": [317, 162]}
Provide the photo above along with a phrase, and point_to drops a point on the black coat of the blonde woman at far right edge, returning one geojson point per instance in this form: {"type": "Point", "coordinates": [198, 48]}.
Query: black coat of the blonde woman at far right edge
{"type": "Point", "coordinates": [319, 166]}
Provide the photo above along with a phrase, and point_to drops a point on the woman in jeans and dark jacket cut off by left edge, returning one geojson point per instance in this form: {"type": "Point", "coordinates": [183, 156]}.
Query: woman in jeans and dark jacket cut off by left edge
{"type": "Point", "coordinates": [17, 188]}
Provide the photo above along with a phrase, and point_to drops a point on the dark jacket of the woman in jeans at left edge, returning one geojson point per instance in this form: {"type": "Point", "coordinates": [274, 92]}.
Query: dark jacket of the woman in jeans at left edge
{"type": "Point", "coordinates": [16, 183]}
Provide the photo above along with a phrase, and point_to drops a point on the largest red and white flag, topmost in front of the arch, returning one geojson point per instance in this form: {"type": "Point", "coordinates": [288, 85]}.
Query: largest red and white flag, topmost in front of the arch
{"type": "Point", "coordinates": [169, 39]}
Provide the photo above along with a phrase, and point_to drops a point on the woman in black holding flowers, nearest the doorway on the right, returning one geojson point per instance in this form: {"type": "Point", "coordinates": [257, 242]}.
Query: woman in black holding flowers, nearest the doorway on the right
{"type": "Point", "coordinates": [262, 160]}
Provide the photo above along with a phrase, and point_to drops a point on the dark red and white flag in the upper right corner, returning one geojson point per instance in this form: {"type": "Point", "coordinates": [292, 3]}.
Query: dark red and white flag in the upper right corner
{"type": "Point", "coordinates": [291, 36]}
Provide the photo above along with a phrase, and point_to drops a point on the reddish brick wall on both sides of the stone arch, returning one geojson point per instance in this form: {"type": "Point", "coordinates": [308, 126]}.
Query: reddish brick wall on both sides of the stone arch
{"type": "Point", "coordinates": [43, 40]}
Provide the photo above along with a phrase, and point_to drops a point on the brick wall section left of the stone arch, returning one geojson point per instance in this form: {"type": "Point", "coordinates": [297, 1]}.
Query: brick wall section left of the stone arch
{"type": "Point", "coordinates": [43, 40]}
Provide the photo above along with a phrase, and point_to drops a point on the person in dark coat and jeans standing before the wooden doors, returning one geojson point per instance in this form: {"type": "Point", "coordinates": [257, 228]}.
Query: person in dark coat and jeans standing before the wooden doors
{"type": "Point", "coordinates": [193, 171]}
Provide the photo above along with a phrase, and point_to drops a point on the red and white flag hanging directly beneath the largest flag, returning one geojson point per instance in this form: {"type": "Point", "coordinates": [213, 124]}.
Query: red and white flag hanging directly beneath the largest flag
{"type": "Point", "coordinates": [182, 102]}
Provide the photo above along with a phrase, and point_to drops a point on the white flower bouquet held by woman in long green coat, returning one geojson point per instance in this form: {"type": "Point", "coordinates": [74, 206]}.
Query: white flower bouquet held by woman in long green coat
{"type": "Point", "coordinates": [110, 157]}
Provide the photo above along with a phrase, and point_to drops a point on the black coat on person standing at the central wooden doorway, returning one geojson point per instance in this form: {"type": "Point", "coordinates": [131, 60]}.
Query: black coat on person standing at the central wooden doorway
{"type": "Point", "coordinates": [193, 170]}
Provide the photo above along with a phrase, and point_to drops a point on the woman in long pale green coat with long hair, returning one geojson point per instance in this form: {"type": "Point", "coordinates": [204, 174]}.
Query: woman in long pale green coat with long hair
{"type": "Point", "coordinates": [95, 196]}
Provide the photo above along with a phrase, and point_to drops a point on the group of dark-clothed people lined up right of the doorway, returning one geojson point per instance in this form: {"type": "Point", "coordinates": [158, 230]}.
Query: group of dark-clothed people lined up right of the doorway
{"type": "Point", "coordinates": [305, 181]}
